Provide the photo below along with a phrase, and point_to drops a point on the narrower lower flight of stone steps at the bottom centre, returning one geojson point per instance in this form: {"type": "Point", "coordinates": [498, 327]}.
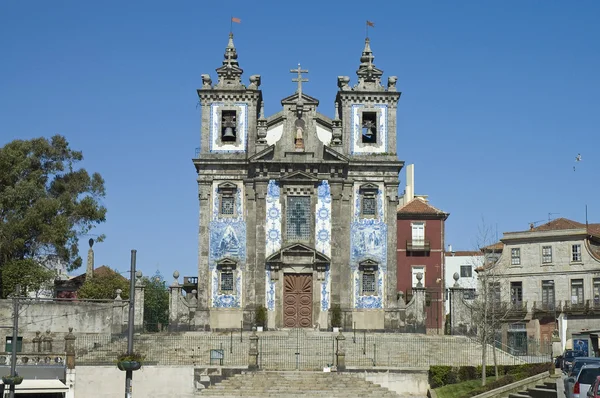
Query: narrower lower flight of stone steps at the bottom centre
{"type": "Point", "coordinates": [296, 384]}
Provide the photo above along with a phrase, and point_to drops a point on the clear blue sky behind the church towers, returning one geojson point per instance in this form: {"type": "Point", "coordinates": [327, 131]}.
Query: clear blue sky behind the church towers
{"type": "Point", "coordinates": [498, 99]}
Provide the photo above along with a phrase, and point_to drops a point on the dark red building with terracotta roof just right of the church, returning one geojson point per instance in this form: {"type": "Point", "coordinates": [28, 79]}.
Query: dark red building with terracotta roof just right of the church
{"type": "Point", "coordinates": [421, 250]}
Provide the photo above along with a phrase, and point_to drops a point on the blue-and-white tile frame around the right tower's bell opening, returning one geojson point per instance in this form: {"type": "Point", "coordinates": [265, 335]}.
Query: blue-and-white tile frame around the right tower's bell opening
{"type": "Point", "coordinates": [356, 145]}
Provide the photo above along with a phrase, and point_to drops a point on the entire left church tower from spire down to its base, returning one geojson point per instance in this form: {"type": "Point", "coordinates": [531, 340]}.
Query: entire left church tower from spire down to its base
{"type": "Point", "coordinates": [229, 112]}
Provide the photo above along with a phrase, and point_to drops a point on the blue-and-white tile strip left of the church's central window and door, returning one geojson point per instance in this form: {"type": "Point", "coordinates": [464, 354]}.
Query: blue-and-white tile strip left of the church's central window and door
{"type": "Point", "coordinates": [273, 236]}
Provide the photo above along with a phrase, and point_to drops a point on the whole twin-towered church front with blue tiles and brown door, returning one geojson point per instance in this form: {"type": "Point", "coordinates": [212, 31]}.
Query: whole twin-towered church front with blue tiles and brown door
{"type": "Point", "coordinates": [297, 210]}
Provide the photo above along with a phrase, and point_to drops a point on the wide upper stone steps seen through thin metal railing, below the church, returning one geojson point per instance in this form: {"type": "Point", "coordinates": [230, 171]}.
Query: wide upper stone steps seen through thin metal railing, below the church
{"type": "Point", "coordinates": [299, 349]}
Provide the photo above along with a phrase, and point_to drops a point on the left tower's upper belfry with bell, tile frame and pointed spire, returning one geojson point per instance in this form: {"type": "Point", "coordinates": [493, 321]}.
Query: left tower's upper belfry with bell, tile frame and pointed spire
{"type": "Point", "coordinates": [229, 108]}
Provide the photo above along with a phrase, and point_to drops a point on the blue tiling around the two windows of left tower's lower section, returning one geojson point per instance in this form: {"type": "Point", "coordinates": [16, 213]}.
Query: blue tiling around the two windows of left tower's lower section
{"type": "Point", "coordinates": [227, 239]}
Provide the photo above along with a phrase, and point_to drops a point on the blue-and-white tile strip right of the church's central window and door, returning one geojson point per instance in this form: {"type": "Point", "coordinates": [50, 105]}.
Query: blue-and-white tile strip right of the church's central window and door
{"type": "Point", "coordinates": [323, 234]}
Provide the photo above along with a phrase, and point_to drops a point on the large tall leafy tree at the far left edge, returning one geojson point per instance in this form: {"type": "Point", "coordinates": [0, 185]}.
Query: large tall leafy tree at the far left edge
{"type": "Point", "coordinates": [46, 204]}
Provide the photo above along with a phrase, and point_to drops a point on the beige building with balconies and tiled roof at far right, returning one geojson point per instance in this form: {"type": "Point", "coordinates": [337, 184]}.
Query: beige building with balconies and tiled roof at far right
{"type": "Point", "coordinates": [549, 279]}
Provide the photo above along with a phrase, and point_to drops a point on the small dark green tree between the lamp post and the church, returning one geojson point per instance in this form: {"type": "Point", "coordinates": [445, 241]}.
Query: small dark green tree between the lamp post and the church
{"type": "Point", "coordinates": [156, 303]}
